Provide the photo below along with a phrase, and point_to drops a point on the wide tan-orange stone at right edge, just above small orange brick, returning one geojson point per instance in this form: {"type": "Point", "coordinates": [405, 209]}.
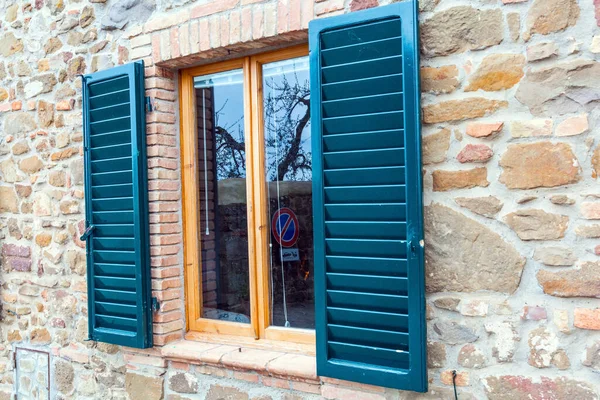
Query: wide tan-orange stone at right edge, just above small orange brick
{"type": "Point", "coordinates": [575, 282]}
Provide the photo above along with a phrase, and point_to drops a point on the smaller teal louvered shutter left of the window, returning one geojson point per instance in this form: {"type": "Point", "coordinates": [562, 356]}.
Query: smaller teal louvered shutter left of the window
{"type": "Point", "coordinates": [116, 199]}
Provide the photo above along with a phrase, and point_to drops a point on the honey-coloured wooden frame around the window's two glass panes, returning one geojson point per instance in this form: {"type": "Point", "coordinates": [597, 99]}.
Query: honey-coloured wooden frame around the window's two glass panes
{"type": "Point", "coordinates": [258, 227]}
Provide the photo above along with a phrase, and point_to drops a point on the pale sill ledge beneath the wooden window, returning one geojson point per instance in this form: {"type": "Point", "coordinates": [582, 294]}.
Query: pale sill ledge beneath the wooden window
{"type": "Point", "coordinates": [262, 359]}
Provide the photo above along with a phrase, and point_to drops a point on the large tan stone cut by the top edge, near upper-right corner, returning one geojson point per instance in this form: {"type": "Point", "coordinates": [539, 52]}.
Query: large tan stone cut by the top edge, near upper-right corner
{"type": "Point", "coordinates": [548, 16]}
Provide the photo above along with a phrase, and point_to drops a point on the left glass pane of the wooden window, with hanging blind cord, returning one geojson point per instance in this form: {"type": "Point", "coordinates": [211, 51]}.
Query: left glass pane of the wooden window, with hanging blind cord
{"type": "Point", "coordinates": [222, 196]}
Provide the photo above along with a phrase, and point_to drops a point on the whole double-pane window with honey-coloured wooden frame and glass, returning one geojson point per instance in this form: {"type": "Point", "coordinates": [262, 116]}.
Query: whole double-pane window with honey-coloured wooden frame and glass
{"type": "Point", "coordinates": [247, 185]}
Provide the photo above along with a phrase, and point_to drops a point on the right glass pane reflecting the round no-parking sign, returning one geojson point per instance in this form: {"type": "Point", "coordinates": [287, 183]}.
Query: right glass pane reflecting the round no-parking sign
{"type": "Point", "coordinates": [288, 171]}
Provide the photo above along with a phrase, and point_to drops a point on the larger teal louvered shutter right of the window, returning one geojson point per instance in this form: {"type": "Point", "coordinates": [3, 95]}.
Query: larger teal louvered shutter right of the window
{"type": "Point", "coordinates": [368, 227]}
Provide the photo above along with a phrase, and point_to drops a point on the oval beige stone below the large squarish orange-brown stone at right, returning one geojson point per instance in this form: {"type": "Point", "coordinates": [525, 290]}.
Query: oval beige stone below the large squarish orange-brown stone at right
{"type": "Point", "coordinates": [533, 224]}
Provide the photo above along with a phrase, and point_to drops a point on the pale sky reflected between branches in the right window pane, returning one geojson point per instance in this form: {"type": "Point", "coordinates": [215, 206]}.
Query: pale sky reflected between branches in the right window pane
{"type": "Point", "coordinates": [296, 72]}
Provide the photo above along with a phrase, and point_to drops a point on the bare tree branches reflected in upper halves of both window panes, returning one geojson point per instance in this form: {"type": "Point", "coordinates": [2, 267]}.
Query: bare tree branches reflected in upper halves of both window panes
{"type": "Point", "coordinates": [287, 115]}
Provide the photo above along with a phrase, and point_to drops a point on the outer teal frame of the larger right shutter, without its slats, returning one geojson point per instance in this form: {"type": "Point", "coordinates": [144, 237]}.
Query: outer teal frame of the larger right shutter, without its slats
{"type": "Point", "coordinates": [415, 377]}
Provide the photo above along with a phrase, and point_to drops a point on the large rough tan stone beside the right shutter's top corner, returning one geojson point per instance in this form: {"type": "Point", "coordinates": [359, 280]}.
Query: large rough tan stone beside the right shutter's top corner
{"type": "Point", "coordinates": [459, 29]}
